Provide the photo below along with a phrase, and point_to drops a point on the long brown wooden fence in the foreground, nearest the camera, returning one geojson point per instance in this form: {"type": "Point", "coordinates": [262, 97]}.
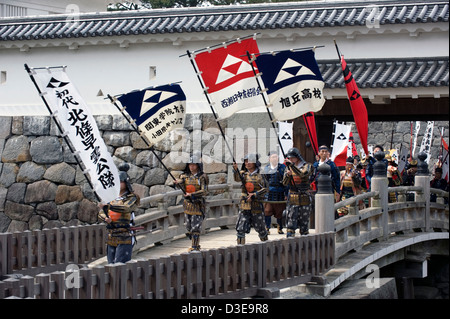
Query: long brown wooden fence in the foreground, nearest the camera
{"type": "Point", "coordinates": [234, 272]}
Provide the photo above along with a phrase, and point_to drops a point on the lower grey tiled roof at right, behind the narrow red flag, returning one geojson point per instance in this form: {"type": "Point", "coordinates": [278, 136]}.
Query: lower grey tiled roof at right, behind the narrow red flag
{"type": "Point", "coordinates": [388, 73]}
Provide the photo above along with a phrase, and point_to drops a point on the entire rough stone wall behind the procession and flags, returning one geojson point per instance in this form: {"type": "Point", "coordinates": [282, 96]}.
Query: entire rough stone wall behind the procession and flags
{"type": "Point", "coordinates": [42, 186]}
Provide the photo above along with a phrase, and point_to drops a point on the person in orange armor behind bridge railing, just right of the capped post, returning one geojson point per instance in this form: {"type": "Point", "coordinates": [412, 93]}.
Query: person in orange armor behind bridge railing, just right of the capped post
{"type": "Point", "coordinates": [350, 184]}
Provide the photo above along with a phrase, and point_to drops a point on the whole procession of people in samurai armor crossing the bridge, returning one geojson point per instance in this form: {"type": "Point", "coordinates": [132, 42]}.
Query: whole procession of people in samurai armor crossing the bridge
{"type": "Point", "coordinates": [284, 191]}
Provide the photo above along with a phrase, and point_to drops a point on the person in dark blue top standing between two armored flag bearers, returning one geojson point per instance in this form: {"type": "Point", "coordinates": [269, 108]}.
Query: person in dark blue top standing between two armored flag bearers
{"type": "Point", "coordinates": [275, 199]}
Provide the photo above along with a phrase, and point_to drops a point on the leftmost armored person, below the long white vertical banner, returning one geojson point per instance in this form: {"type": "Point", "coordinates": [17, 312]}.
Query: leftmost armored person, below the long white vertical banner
{"type": "Point", "coordinates": [119, 217]}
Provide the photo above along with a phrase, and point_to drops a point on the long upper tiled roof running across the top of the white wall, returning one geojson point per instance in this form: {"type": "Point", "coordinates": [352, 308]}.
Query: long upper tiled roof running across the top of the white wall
{"type": "Point", "coordinates": [310, 14]}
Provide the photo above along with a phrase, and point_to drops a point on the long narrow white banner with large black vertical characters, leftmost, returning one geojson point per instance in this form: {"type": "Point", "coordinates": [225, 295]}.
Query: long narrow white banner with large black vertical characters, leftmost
{"type": "Point", "coordinates": [76, 121]}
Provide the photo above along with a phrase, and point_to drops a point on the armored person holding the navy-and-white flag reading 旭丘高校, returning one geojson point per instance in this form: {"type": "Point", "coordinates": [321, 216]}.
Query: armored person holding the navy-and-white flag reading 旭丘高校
{"type": "Point", "coordinates": [299, 204]}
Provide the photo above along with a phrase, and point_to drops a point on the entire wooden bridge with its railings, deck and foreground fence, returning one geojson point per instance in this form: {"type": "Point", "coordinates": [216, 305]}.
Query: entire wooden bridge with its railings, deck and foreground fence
{"type": "Point", "coordinates": [68, 262]}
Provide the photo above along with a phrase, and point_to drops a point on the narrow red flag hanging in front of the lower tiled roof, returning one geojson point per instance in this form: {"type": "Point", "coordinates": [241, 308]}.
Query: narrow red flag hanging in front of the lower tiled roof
{"type": "Point", "coordinates": [357, 104]}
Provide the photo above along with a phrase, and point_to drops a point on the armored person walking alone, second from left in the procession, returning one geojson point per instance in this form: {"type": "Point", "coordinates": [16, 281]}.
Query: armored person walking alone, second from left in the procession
{"type": "Point", "coordinates": [194, 182]}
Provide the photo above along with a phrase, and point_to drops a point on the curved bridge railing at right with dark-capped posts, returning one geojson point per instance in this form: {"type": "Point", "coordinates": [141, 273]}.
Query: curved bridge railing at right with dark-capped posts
{"type": "Point", "coordinates": [381, 219]}
